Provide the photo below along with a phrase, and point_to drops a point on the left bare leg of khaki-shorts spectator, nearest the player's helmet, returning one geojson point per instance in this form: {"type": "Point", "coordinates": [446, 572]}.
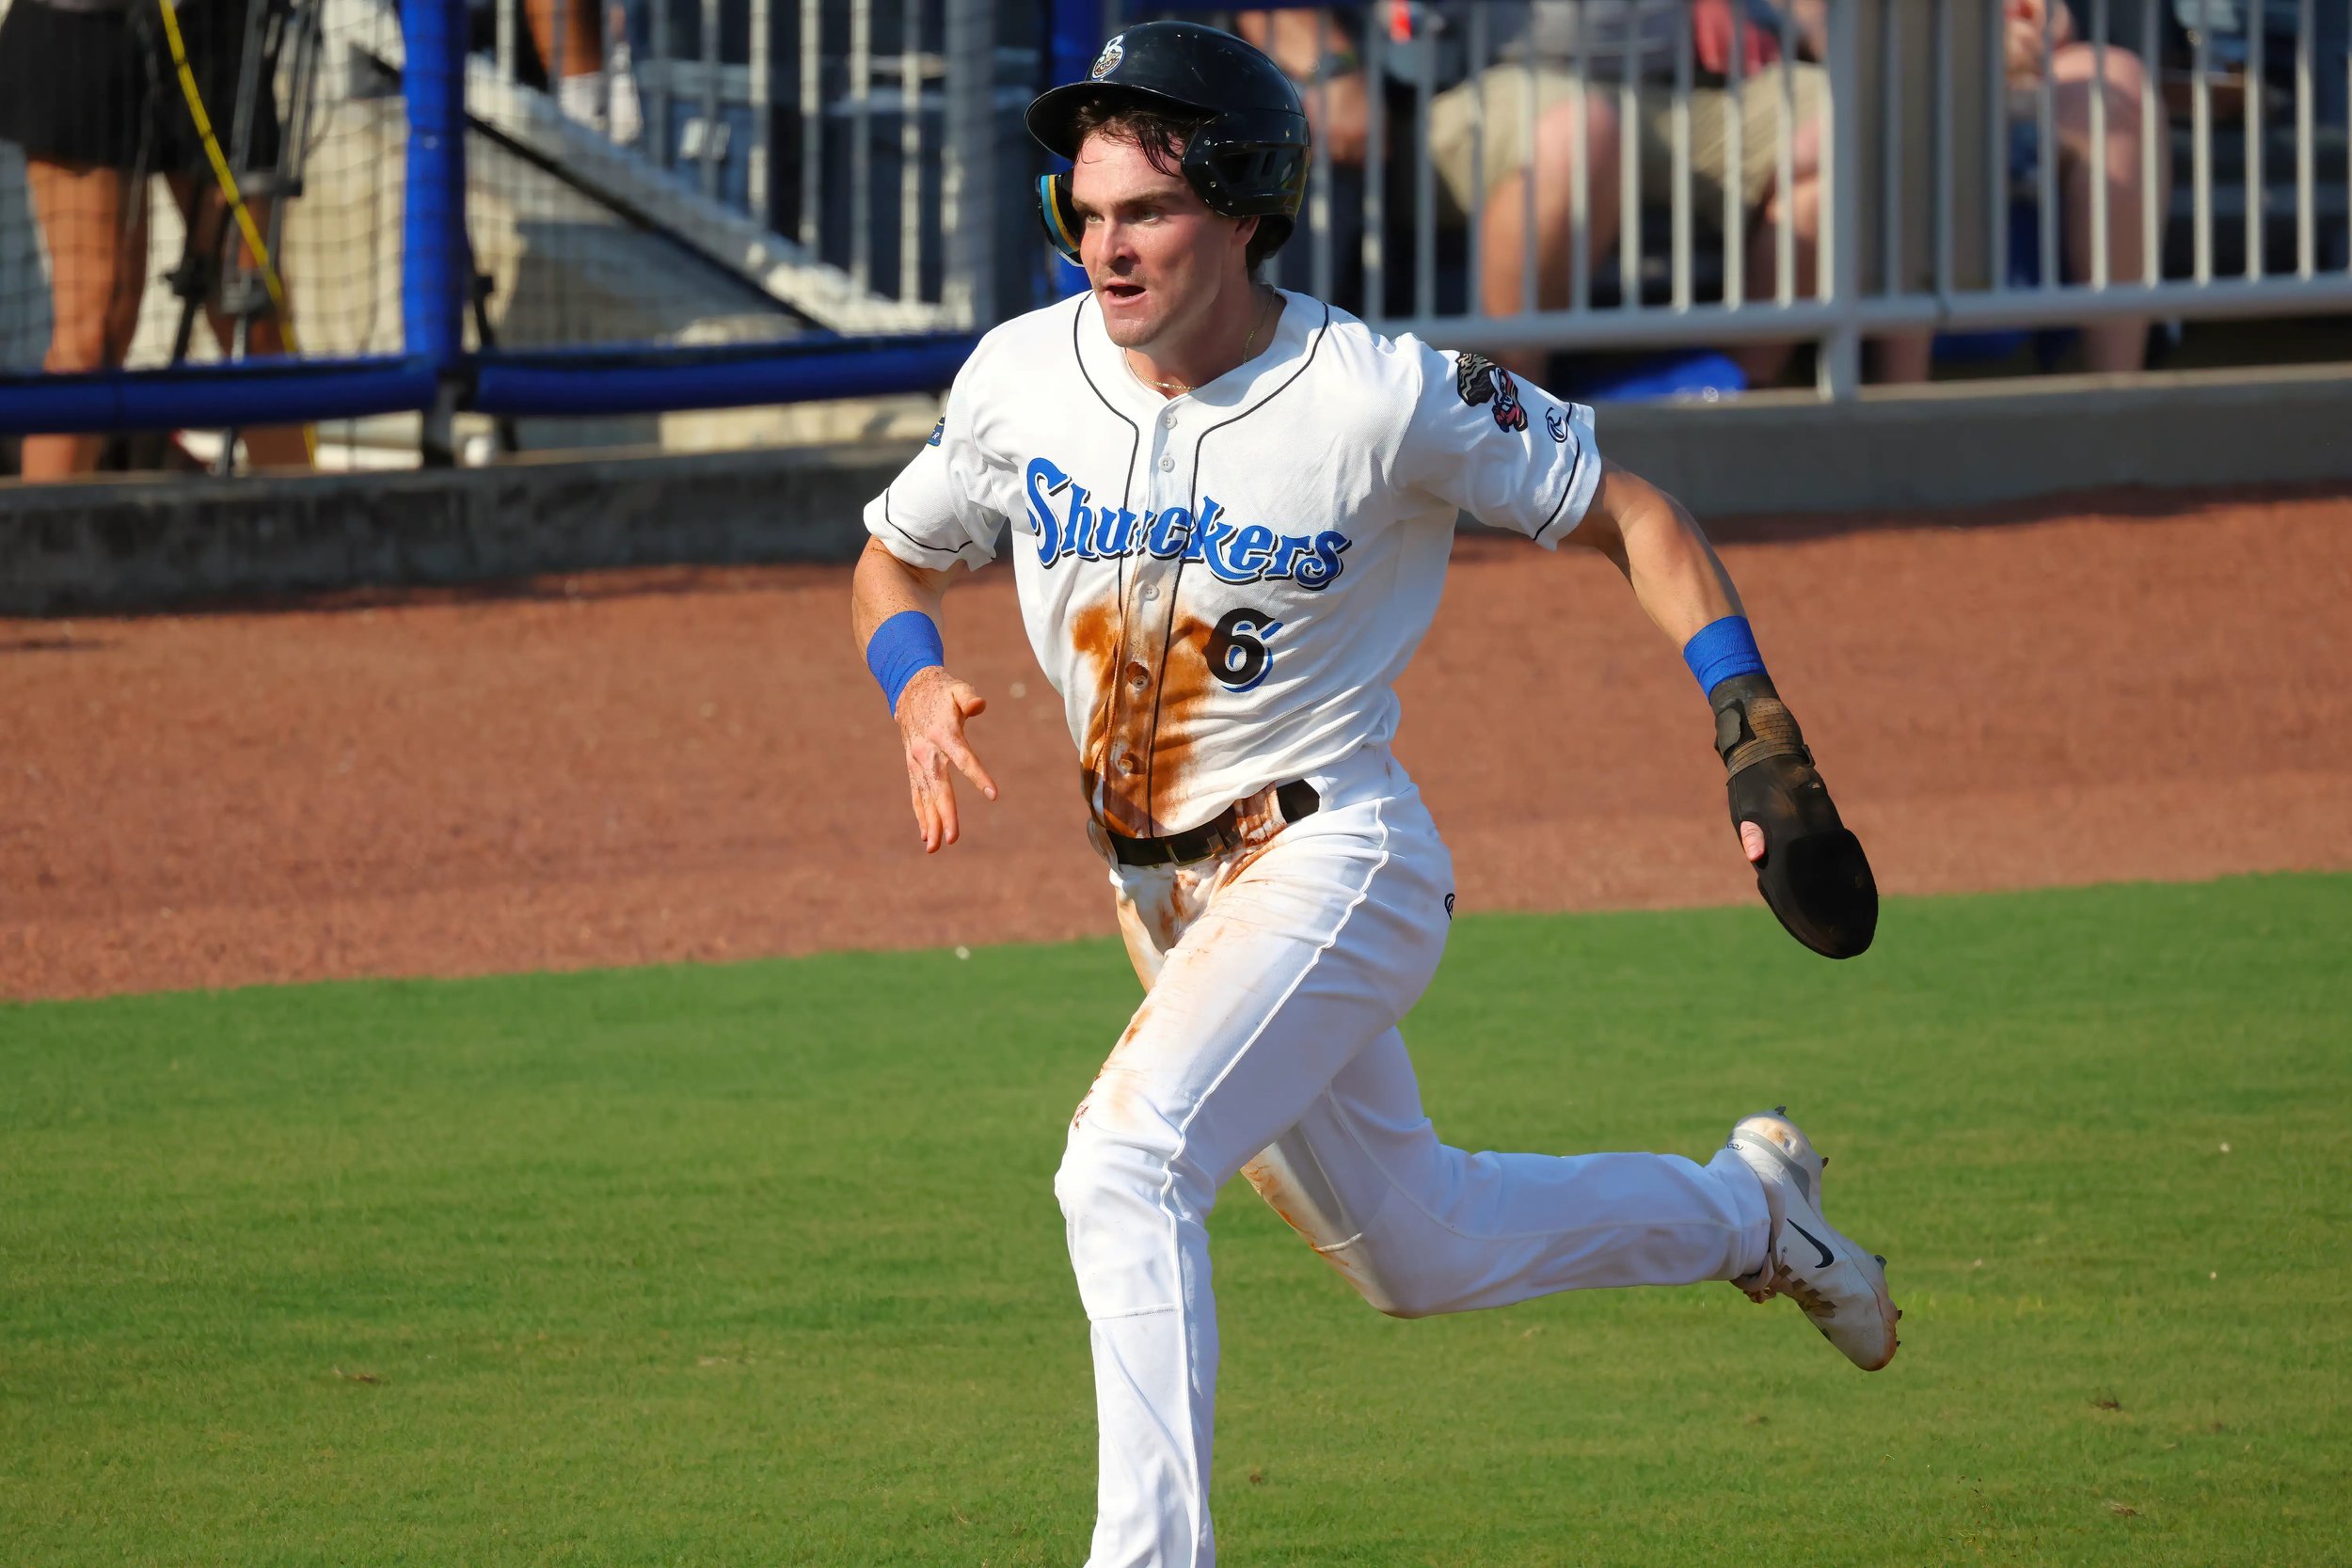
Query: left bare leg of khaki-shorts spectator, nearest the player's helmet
{"type": "Point", "coordinates": [1504, 229]}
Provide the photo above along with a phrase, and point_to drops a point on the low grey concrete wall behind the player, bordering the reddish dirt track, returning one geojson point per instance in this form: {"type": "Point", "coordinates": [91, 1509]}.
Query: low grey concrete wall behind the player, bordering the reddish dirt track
{"type": "Point", "coordinates": [147, 544]}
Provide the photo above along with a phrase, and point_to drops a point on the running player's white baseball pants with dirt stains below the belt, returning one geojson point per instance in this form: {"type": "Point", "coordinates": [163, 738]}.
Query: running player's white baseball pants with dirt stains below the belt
{"type": "Point", "coordinates": [1269, 1045]}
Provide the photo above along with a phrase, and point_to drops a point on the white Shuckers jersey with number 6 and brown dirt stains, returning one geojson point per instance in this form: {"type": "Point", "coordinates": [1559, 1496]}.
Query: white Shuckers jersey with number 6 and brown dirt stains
{"type": "Point", "coordinates": [1224, 587]}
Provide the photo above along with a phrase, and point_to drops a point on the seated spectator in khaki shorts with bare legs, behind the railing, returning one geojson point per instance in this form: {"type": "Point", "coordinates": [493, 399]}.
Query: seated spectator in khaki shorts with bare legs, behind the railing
{"type": "Point", "coordinates": [1612, 39]}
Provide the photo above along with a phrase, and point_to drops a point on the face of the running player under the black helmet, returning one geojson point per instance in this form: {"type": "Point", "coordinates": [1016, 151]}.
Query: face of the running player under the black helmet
{"type": "Point", "coordinates": [1156, 255]}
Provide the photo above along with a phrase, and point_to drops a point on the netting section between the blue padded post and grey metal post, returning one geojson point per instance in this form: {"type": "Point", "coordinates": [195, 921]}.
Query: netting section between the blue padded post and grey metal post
{"type": "Point", "coordinates": [707, 173]}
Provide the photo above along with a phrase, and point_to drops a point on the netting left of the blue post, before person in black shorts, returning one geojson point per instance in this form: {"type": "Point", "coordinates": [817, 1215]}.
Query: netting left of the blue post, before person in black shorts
{"type": "Point", "coordinates": [119, 243]}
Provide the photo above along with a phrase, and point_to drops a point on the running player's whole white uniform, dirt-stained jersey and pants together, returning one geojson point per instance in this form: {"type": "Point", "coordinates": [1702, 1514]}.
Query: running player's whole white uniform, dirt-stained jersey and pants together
{"type": "Point", "coordinates": [1224, 589]}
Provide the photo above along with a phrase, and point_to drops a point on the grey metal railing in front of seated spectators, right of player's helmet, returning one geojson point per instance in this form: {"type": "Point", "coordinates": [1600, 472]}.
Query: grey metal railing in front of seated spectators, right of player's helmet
{"type": "Point", "coordinates": [1895, 83]}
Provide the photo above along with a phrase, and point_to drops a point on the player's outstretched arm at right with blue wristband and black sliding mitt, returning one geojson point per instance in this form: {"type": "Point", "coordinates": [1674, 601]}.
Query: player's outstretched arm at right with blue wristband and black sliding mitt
{"type": "Point", "coordinates": [1810, 866]}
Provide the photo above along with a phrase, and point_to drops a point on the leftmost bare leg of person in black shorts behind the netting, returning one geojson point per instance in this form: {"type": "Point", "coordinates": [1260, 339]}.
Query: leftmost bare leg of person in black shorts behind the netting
{"type": "Point", "coordinates": [93, 225]}
